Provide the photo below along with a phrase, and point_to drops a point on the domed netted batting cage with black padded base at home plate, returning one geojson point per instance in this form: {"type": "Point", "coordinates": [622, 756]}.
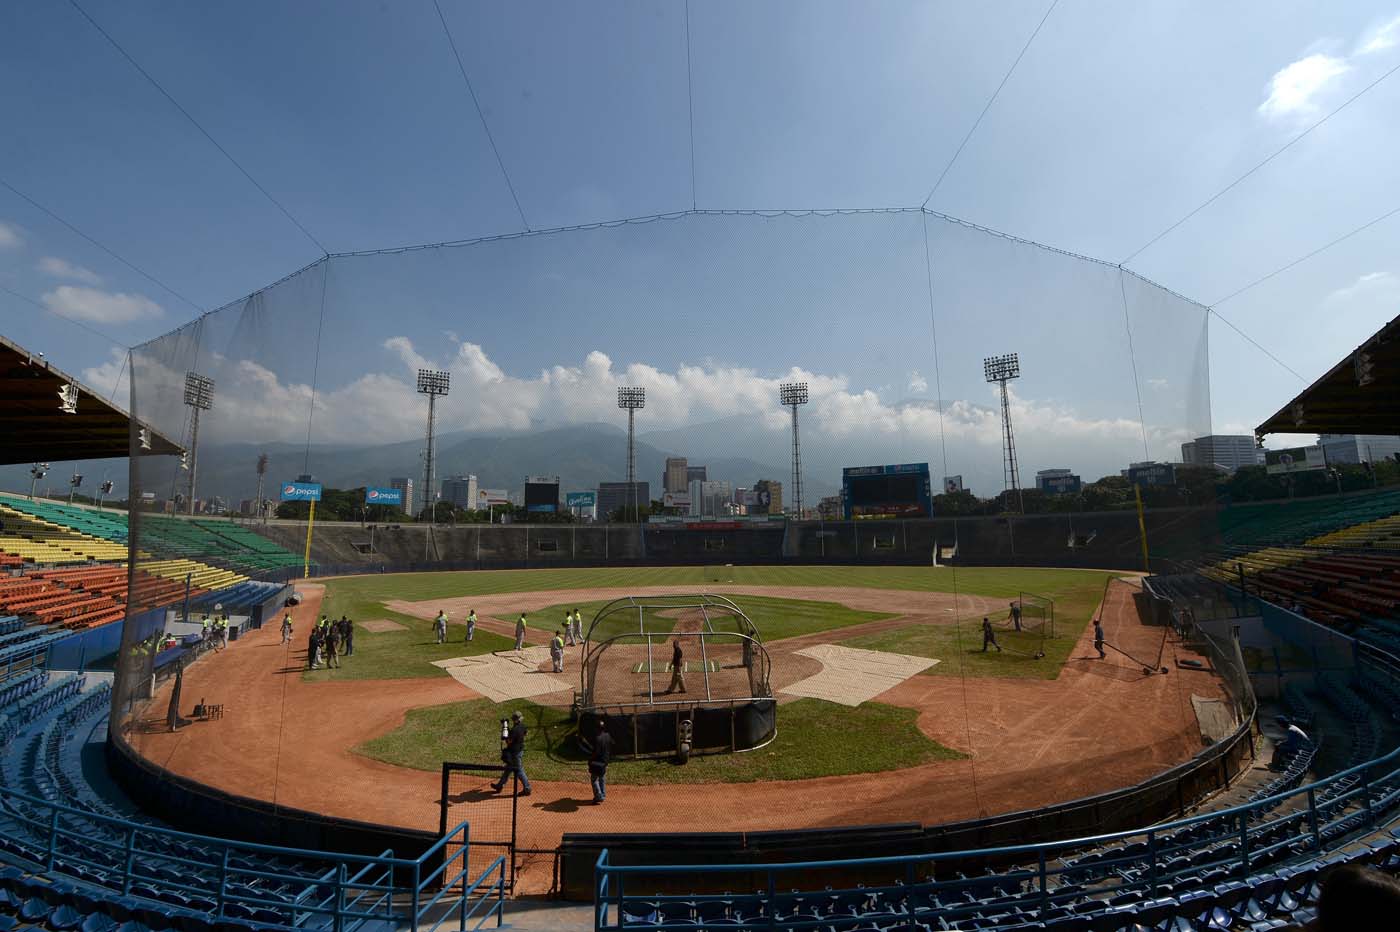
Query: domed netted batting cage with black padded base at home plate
{"type": "Point", "coordinates": [717, 699]}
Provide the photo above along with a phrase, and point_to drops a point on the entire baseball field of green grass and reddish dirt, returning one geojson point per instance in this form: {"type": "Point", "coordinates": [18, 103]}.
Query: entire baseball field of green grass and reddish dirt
{"type": "Point", "coordinates": [958, 734]}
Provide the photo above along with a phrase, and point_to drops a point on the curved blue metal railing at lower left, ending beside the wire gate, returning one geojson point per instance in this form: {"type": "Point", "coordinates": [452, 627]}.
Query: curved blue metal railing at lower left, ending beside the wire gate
{"type": "Point", "coordinates": [246, 880]}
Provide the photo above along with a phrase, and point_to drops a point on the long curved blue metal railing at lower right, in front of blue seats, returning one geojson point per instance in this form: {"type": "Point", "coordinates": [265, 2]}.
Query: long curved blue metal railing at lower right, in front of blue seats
{"type": "Point", "coordinates": [1235, 842]}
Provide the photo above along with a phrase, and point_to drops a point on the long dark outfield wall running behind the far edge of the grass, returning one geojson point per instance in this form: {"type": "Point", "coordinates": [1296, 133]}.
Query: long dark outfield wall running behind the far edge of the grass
{"type": "Point", "coordinates": [1108, 541]}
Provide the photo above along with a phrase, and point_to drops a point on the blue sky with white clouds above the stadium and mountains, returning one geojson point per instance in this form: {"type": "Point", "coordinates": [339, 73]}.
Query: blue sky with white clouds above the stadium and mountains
{"type": "Point", "coordinates": [1118, 122]}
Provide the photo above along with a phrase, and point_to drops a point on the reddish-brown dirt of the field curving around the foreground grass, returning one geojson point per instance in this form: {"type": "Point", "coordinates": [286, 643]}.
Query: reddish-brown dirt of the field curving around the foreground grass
{"type": "Point", "coordinates": [1101, 726]}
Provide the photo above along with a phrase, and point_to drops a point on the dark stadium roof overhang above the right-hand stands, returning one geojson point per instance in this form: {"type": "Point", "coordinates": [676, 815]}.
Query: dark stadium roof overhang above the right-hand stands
{"type": "Point", "coordinates": [1360, 395]}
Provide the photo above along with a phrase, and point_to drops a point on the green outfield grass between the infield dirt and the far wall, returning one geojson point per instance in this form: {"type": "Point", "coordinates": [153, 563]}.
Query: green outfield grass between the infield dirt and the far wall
{"type": "Point", "coordinates": [409, 653]}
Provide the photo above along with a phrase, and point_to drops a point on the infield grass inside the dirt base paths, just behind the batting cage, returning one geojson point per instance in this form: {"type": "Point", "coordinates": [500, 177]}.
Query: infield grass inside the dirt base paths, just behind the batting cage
{"type": "Point", "coordinates": [775, 619]}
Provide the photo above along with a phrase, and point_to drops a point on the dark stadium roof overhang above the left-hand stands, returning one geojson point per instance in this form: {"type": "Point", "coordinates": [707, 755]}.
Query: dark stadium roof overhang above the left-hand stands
{"type": "Point", "coordinates": [36, 428]}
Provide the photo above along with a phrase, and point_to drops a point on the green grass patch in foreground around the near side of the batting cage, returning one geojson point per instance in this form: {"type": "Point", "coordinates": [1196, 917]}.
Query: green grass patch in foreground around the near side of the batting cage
{"type": "Point", "coordinates": [815, 740]}
